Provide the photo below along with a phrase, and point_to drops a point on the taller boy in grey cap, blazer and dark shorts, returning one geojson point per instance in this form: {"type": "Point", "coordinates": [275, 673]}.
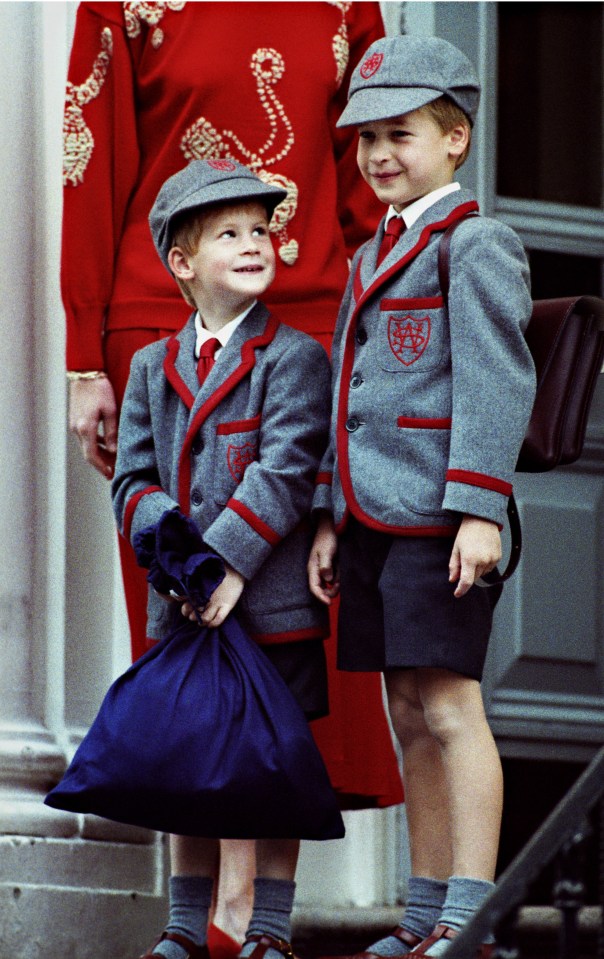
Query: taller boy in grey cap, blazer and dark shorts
{"type": "Point", "coordinates": [431, 402]}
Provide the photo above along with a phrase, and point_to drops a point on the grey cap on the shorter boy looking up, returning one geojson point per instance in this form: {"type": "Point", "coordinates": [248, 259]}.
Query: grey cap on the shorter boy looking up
{"type": "Point", "coordinates": [205, 183]}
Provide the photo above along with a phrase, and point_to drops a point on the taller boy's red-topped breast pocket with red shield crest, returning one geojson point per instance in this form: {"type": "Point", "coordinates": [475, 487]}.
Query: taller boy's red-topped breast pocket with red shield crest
{"type": "Point", "coordinates": [413, 335]}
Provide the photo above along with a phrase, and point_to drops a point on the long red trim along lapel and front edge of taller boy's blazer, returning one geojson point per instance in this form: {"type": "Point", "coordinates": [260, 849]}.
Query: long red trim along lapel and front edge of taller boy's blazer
{"type": "Point", "coordinates": [348, 361]}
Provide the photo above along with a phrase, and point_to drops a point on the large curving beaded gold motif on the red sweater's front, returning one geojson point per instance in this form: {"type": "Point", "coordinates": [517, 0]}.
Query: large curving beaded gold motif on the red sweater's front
{"type": "Point", "coordinates": [202, 141]}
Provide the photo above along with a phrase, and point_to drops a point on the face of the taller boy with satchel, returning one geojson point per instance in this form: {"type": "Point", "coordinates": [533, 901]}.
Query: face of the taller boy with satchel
{"type": "Point", "coordinates": [407, 157]}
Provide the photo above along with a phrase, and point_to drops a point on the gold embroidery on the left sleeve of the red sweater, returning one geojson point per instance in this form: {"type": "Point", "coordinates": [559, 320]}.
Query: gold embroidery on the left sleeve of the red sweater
{"type": "Point", "coordinates": [78, 142]}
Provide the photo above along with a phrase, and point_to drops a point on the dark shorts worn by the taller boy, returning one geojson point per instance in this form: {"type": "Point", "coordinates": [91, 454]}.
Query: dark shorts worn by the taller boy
{"type": "Point", "coordinates": [397, 609]}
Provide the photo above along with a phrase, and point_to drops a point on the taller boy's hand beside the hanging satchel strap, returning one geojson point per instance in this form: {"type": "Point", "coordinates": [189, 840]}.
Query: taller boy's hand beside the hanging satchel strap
{"type": "Point", "coordinates": [476, 551]}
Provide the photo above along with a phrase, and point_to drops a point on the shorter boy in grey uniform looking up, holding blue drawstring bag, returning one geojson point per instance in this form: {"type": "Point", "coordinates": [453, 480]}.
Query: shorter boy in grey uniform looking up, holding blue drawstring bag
{"type": "Point", "coordinates": [227, 420]}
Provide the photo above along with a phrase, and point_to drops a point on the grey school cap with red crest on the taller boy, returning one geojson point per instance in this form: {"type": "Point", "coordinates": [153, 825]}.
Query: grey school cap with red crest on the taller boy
{"type": "Point", "coordinates": [403, 73]}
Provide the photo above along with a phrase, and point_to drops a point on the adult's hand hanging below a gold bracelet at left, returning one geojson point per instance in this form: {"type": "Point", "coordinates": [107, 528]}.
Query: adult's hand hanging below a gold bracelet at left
{"type": "Point", "coordinates": [93, 419]}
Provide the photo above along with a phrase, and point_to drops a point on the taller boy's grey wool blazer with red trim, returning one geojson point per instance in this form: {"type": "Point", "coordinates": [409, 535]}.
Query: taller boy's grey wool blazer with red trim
{"type": "Point", "coordinates": [430, 405]}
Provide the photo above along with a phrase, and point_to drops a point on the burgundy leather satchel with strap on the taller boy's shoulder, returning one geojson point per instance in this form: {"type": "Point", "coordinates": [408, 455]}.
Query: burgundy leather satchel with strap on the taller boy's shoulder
{"type": "Point", "coordinates": [566, 340]}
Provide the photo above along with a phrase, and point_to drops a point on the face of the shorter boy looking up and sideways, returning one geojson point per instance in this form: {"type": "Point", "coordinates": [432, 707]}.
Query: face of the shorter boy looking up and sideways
{"type": "Point", "coordinates": [234, 262]}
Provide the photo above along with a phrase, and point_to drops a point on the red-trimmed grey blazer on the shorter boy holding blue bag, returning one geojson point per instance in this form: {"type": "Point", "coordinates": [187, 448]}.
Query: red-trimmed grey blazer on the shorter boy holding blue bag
{"type": "Point", "coordinates": [239, 455]}
